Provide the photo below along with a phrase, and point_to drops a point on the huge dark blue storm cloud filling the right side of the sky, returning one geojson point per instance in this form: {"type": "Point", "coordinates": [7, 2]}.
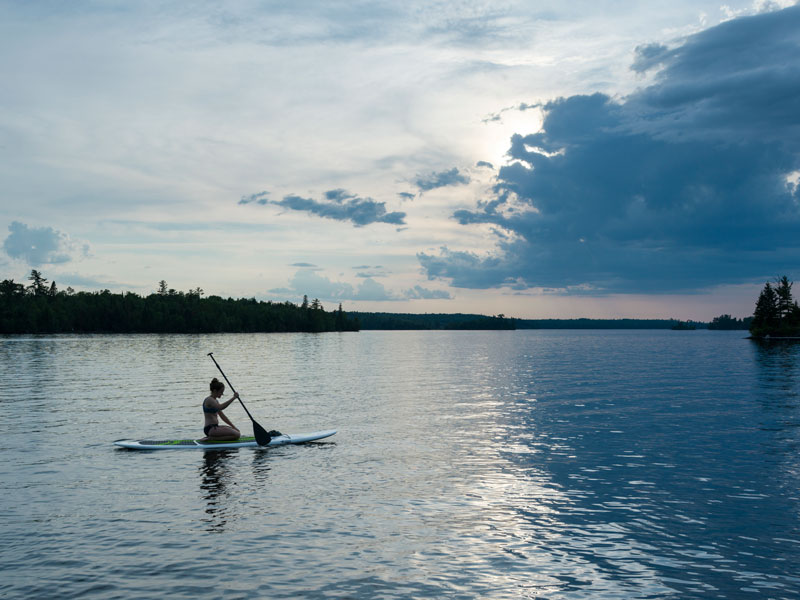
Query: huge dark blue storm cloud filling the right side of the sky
{"type": "Point", "coordinates": [681, 186]}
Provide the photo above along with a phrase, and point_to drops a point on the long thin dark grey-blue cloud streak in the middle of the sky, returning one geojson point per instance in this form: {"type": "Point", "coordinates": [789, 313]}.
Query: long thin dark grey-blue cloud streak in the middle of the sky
{"type": "Point", "coordinates": [339, 205]}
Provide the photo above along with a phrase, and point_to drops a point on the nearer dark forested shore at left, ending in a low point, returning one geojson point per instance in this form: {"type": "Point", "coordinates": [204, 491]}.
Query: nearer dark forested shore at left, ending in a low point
{"type": "Point", "coordinates": [40, 307]}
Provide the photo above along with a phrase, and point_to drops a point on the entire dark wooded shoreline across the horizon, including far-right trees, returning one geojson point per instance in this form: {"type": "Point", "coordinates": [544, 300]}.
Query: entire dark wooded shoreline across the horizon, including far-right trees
{"type": "Point", "coordinates": [41, 307]}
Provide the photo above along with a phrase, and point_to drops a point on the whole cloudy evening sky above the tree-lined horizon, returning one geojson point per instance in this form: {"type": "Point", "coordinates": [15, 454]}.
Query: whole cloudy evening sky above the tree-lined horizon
{"type": "Point", "coordinates": [539, 159]}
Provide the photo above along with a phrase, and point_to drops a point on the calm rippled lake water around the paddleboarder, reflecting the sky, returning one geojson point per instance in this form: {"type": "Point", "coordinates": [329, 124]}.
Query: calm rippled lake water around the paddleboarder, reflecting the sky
{"type": "Point", "coordinates": [527, 464]}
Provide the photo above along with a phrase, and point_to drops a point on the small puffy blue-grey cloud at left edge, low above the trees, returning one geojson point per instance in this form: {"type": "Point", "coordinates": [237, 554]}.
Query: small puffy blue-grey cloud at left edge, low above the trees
{"type": "Point", "coordinates": [42, 245]}
